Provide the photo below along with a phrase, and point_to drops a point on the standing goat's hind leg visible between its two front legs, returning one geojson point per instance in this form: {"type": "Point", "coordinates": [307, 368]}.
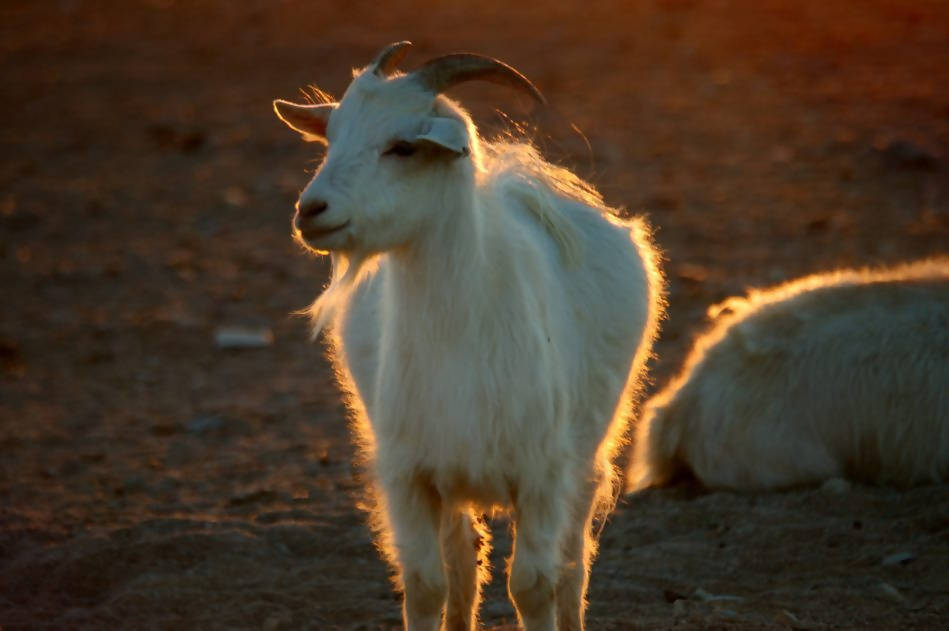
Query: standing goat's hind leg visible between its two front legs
{"type": "Point", "coordinates": [465, 545]}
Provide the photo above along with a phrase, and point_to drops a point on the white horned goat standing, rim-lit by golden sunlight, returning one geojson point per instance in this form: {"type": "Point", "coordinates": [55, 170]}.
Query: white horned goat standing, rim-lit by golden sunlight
{"type": "Point", "coordinates": [489, 320]}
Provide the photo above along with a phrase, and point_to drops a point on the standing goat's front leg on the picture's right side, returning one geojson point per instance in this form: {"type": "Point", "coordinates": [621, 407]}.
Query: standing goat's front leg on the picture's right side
{"type": "Point", "coordinates": [535, 564]}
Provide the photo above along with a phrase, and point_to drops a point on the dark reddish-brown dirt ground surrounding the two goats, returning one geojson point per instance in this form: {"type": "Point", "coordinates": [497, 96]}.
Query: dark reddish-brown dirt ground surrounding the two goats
{"type": "Point", "coordinates": [150, 479]}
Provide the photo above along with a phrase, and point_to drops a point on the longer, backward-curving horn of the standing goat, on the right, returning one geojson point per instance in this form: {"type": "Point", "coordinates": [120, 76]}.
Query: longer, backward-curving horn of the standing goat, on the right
{"type": "Point", "coordinates": [441, 73]}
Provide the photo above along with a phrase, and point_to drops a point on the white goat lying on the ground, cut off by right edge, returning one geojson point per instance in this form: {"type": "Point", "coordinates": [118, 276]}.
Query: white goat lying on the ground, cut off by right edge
{"type": "Point", "coordinates": [843, 374]}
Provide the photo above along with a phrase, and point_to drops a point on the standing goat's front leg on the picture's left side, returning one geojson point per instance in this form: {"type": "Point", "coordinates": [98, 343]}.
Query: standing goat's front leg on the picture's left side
{"type": "Point", "coordinates": [414, 511]}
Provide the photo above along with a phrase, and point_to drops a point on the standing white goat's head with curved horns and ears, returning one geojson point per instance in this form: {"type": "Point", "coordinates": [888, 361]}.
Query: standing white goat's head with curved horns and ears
{"type": "Point", "coordinates": [394, 144]}
